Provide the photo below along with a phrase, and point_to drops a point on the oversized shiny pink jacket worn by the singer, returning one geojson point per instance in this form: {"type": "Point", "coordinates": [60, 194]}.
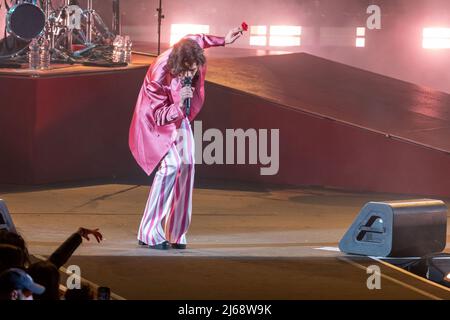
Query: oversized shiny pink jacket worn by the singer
{"type": "Point", "coordinates": [157, 114]}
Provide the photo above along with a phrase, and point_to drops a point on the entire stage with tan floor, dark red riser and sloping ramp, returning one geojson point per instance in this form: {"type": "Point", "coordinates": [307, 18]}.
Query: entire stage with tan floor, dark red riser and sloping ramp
{"type": "Point", "coordinates": [343, 143]}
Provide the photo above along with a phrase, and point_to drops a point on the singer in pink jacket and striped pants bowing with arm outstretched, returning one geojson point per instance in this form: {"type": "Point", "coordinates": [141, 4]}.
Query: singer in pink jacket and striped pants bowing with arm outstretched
{"type": "Point", "coordinates": [160, 133]}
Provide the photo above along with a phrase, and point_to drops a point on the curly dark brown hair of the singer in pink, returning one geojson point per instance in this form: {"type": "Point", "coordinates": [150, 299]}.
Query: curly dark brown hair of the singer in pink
{"type": "Point", "coordinates": [185, 53]}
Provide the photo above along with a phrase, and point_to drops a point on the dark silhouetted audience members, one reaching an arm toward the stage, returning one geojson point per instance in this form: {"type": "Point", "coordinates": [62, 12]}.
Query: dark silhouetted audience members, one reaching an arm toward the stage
{"type": "Point", "coordinates": [23, 278]}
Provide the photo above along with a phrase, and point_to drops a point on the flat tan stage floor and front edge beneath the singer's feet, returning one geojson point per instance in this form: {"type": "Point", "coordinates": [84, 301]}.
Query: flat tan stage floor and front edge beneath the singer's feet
{"type": "Point", "coordinates": [246, 241]}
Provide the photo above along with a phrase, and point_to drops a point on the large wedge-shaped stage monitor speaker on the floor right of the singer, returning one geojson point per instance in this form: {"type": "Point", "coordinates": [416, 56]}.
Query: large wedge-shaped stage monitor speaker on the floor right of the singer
{"type": "Point", "coordinates": [407, 228]}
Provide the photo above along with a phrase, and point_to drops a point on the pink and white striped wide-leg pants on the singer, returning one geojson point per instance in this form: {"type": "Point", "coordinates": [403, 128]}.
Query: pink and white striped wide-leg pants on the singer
{"type": "Point", "coordinates": [167, 215]}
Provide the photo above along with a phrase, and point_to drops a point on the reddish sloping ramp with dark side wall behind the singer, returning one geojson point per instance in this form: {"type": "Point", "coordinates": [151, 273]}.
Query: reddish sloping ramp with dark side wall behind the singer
{"type": "Point", "coordinates": [339, 126]}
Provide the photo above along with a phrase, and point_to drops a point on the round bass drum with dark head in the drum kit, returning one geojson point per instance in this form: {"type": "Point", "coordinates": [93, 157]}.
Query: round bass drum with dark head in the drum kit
{"type": "Point", "coordinates": [25, 21]}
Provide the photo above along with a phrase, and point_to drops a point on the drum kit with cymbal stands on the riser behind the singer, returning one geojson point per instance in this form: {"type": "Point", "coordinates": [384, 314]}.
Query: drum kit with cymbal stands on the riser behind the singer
{"type": "Point", "coordinates": [68, 28]}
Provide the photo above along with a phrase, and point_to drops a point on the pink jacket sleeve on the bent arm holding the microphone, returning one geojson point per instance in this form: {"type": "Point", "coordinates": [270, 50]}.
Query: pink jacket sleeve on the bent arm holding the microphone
{"type": "Point", "coordinates": [164, 112]}
